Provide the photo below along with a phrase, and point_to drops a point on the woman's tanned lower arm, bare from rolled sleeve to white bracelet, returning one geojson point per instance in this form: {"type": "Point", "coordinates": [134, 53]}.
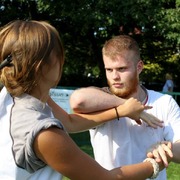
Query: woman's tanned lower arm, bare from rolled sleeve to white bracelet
{"type": "Point", "coordinates": [65, 157]}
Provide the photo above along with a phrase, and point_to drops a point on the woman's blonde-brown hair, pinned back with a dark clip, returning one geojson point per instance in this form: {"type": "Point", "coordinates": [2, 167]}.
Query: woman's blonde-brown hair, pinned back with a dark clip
{"type": "Point", "coordinates": [29, 44]}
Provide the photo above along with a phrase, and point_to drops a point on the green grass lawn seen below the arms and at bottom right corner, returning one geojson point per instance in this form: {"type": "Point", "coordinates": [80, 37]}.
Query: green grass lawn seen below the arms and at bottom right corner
{"type": "Point", "coordinates": [82, 140]}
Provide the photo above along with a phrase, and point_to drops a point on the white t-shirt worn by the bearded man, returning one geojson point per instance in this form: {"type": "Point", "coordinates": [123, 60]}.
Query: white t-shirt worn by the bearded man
{"type": "Point", "coordinates": [123, 142]}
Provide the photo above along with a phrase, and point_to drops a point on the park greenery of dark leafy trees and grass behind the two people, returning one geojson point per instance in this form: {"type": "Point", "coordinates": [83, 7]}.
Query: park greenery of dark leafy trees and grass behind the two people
{"type": "Point", "coordinates": [85, 25]}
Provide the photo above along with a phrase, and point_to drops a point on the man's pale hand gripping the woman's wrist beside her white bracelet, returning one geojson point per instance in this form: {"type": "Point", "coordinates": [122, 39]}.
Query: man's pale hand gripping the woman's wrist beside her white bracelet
{"type": "Point", "coordinates": [161, 152]}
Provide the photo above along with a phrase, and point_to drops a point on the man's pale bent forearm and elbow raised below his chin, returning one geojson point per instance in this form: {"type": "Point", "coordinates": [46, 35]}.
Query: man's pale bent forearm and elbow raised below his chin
{"type": "Point", "coordinates": [92, 99]}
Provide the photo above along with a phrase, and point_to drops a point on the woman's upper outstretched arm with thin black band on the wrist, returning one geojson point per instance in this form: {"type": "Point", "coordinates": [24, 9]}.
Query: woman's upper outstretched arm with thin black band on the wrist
{"type": "Point", "coordinates": [80, 122]}
